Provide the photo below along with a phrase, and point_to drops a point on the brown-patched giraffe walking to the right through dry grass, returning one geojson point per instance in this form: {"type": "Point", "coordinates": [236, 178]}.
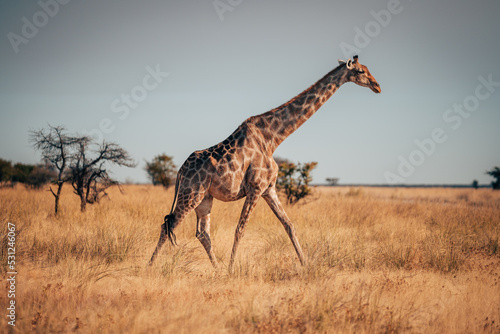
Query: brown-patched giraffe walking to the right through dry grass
{"type": "Point", "coordinates": [243, 166]}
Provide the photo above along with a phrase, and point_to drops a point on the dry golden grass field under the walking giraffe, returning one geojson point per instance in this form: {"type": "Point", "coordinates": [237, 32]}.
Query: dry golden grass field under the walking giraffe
{"type": "Point", "coordinates": [380, 260]}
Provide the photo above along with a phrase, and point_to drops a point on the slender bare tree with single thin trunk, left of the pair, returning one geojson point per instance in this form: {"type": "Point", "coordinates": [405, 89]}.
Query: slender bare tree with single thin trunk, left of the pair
{"type": "Point", "coordinates": [55, 147]}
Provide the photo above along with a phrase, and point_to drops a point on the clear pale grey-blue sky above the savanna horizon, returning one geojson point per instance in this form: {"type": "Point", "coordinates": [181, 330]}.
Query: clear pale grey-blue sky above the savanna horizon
{"type": "Point", "coordinates": [176, 76]}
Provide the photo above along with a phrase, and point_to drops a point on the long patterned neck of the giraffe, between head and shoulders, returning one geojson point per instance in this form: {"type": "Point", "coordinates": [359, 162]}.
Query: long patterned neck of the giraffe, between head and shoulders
{"type": "Point", "coordinates": [279, 123]}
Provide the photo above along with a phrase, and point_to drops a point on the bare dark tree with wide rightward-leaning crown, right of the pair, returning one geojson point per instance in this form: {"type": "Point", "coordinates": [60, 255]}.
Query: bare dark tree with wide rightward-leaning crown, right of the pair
{"type": "Point", "coordinates": [89, 176]}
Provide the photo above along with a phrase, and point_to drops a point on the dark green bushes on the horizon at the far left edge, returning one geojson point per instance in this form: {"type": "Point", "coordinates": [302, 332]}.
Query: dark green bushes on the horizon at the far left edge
{"type": "Point", "coordinates": [34, 176]}
